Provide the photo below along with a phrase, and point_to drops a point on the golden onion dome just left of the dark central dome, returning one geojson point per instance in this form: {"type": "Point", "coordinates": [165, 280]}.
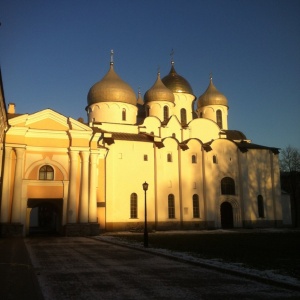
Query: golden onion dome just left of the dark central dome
{"type": "Point", "coordinates": [159, 92]}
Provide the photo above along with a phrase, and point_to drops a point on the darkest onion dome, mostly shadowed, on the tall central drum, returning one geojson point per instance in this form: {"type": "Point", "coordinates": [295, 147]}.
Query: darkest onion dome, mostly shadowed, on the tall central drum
{"type": "Point", "coordinates": [176, 83]}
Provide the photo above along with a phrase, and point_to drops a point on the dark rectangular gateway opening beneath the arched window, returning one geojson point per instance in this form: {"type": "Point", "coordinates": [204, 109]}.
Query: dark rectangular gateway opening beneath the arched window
{"type": "Point", "coordinates": [45, 216]}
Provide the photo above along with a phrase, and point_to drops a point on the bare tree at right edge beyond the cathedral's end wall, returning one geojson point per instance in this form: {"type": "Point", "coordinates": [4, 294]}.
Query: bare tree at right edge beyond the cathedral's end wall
{"type": "Point", "coordinates": [290, 177]}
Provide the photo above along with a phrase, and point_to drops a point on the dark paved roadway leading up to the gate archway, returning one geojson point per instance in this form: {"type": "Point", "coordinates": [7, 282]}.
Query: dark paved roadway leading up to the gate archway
{"type": "Point", "coordinates": [83, 268]}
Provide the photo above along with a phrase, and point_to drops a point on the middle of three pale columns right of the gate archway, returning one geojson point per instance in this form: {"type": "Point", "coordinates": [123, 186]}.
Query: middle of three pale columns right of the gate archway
{"type": "Point", "coordinates": [84, 194]}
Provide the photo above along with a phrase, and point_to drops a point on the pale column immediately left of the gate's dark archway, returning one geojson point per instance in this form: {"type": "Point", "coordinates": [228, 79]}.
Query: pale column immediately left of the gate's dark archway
{"type": "Point", "coordinates": [17, 196]}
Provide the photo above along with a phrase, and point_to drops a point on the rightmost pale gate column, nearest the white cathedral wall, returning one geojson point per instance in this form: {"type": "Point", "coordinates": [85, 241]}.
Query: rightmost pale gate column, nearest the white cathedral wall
{"type": "Point", "coordinates": [93, 189]}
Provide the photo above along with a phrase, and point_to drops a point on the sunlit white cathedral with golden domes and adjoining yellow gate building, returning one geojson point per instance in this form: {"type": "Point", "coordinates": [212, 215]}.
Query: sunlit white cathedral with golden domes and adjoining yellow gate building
{"type": "Point", "coordinates": [73, 178]}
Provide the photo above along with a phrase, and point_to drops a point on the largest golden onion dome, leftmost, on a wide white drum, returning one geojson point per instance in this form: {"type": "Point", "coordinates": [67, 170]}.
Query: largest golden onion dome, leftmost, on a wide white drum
{"type": "Point", "coordinates": [111, 89]}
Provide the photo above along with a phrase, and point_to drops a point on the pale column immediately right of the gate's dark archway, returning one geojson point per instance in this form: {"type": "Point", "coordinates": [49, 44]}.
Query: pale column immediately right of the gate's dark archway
{"type": "Point", "coordinates": [72, 208]}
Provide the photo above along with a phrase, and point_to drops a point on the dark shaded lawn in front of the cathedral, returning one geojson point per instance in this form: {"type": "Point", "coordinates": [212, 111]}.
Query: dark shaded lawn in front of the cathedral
{"type": "Point", "coordinates": [262, 250]}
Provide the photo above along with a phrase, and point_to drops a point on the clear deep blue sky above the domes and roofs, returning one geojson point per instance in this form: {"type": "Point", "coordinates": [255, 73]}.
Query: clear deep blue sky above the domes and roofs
{"type": "Point", "coordinates": [52, 52]}
